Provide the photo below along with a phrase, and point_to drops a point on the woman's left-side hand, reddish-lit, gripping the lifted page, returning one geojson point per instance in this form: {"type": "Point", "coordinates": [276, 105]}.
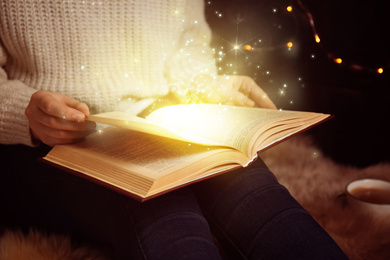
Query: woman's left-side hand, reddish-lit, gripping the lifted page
{"type": "Point", "coordinates": [57, 119]}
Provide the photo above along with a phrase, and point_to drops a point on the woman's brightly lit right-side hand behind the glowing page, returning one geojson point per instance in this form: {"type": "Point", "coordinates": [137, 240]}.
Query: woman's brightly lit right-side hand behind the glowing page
{"type": "Point", "coordinates": [235, 90]}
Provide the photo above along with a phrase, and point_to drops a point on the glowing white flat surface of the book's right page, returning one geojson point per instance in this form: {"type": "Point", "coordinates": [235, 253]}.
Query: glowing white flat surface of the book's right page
{"type": "Point", "coordinates": [228, 125]}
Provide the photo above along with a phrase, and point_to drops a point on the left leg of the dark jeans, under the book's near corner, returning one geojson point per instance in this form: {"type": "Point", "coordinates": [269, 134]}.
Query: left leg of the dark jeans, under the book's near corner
{"type": "Point", "coordinates": [48, 198]}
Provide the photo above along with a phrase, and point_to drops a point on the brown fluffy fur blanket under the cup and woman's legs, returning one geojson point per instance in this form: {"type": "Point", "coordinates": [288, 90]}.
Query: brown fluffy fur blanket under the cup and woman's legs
{"type": "Point", "coordinates": [314, 180]}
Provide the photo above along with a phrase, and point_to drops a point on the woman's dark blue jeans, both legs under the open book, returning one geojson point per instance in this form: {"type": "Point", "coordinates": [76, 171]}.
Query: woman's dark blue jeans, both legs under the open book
{"type": "Point", "coordinates": [250, 215]}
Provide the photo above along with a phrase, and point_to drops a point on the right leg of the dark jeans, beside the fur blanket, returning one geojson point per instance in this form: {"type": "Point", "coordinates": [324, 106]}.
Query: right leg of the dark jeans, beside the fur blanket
{"type": "Point", "coordinates": [257, 217]}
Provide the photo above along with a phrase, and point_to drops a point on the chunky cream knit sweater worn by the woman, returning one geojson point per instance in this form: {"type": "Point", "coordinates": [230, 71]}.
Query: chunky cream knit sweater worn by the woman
{"type": "Point", "coordinates": [97, 51]}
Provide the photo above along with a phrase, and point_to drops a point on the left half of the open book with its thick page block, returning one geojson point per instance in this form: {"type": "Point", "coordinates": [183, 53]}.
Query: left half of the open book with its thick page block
{"type": "Point", "coordinates": [140, 163]}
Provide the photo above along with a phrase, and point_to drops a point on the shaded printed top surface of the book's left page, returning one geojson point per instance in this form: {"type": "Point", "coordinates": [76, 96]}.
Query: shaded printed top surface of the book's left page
{"type": "Point", "coordinates": [139, 152]}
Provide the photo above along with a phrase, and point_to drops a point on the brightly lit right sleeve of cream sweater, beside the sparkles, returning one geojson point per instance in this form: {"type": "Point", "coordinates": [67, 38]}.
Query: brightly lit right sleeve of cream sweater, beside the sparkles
{"type": "Point", "coordinates": [194, 55]}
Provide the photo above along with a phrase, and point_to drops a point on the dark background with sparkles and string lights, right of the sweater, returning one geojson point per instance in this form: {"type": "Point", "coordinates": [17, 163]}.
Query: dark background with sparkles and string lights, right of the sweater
{"type": "Point", "coordinates": [305, 77]}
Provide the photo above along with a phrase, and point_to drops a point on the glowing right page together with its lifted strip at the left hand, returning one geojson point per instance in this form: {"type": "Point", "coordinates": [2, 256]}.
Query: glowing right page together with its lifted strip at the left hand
{"type": "Point", "coordinates": [206, 124]}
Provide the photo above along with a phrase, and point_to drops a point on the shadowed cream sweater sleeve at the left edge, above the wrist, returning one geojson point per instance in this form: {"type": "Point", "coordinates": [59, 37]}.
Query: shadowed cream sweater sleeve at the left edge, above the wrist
{"type": "Point", "coordinates": [14, 98]}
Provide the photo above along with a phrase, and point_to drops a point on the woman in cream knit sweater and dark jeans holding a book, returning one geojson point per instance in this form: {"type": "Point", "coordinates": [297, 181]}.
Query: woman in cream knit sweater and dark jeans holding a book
{"type": "Point", "coordinates": [62, 60]}
